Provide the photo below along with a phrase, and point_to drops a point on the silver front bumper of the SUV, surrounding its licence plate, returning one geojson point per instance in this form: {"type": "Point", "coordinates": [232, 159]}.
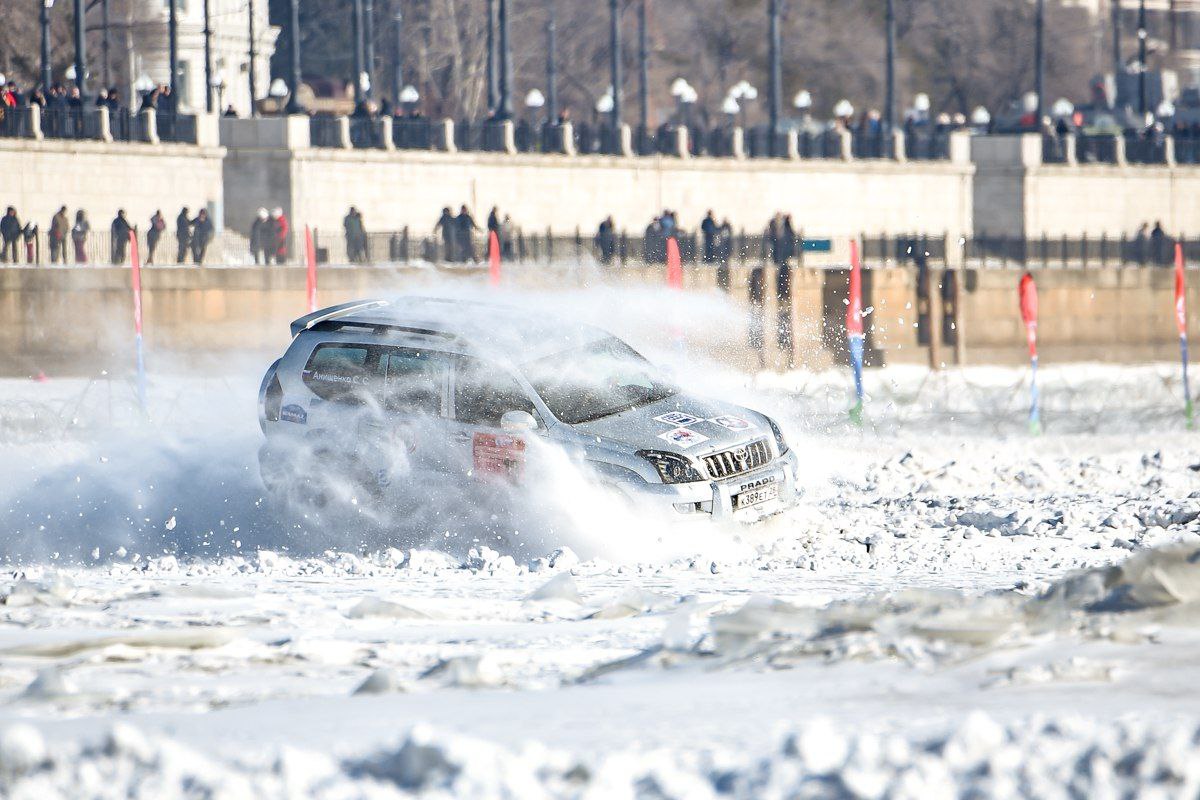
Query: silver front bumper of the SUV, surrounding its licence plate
{"type": "Point", "coordinates": [715, 500]}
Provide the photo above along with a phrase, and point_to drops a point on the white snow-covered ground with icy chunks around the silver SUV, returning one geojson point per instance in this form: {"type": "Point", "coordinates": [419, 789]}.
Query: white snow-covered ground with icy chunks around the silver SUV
{"type": "Point", "coordinates": [914, 630]}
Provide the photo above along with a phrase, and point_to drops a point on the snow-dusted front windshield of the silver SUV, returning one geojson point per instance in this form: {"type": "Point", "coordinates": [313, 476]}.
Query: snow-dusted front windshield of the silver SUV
{"type": "Point", "coordinates": [596, 381]}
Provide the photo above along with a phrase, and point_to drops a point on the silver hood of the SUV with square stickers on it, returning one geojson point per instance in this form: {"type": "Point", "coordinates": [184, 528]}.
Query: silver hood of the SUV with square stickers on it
{"type": "Point", "coordinates": [682, 424]}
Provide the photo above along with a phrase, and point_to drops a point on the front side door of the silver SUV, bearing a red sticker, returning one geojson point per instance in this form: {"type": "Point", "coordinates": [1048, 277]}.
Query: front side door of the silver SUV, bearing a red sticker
{"type": "Point", "coordinates": [483, 394]}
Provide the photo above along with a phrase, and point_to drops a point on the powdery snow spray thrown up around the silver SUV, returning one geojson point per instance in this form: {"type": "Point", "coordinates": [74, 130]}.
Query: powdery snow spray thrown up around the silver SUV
{"type": "Point", "coordinates": [91, 485]}
